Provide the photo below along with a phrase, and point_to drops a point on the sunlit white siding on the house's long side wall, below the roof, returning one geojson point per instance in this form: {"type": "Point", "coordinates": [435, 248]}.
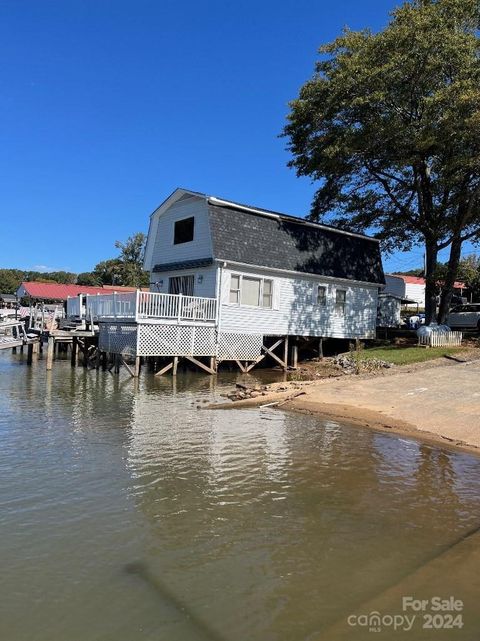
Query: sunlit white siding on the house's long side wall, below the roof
{"type": "Point", "coordinates": [297, 314]}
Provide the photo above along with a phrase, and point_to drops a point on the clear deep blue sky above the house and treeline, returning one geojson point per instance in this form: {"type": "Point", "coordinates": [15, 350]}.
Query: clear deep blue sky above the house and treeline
{"type": "Point", "coordinates": [108, 105]}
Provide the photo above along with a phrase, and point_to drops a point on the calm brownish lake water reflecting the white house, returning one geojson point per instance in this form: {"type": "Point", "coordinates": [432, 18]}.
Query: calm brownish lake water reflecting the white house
{"type": "Point", "coordinates": [127, 514]}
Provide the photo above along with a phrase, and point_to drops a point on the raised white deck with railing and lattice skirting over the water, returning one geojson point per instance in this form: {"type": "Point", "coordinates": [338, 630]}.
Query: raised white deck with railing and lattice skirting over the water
{"type": "Point", "coordinates": [143, 324]}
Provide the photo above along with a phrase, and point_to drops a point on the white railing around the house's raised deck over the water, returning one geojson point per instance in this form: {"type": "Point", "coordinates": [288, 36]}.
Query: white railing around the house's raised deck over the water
{"type": "Point", "coordinates": [145, 306]}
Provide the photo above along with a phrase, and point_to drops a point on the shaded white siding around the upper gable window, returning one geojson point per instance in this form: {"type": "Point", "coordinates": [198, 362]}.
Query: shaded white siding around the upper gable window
{"type": "Point", "coordinates": [164, 251]}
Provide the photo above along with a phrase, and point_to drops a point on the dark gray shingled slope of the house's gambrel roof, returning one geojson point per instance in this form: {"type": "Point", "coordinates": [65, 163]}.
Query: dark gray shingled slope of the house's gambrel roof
{"type": "Point", "coordinates": [284, 242]}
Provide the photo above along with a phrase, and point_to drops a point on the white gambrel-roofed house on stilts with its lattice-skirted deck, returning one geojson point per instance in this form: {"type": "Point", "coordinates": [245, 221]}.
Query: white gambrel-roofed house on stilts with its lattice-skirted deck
{"type": "Point", "coordinates": [241, 274]}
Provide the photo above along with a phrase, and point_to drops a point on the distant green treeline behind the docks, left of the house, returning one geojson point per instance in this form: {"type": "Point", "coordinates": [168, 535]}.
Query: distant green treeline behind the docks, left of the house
{"type": "Point", "coordinates": [125, 269]}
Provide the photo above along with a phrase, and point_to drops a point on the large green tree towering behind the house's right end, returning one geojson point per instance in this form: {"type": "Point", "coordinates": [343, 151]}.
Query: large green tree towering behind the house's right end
{"type": "Point", "coordinates": [389, 126]}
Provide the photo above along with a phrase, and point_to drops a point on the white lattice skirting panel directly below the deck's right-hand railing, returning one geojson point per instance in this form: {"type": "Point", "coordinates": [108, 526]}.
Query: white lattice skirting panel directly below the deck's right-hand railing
{"type": "Point", "coordinates": [176, 340]}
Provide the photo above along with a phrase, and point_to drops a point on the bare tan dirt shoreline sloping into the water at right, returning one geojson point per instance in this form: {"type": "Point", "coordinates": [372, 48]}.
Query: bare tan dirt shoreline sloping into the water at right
{"type": "Point", "coordinates": [436, 402]}
